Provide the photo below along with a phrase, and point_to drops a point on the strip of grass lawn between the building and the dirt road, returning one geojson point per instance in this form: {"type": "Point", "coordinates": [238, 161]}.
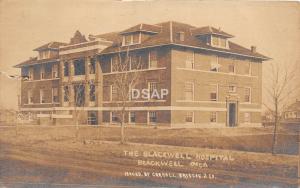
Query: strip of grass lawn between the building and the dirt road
{"type": "Point", "coordinates": [242, 139]}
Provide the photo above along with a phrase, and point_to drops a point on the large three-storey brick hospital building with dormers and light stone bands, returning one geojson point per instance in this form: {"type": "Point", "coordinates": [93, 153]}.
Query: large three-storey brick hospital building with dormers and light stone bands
{"type": "Point", "coordinates": [211, 81]}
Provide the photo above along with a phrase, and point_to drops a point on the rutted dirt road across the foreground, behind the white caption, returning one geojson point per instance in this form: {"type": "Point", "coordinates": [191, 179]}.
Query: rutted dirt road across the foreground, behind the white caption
{"type": "Point", "coordinates": [97, 163]}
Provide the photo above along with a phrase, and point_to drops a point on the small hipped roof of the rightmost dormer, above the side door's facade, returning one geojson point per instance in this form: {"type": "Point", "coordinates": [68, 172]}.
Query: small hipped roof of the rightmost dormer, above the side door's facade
{"type": "Point", "coordinates": [208, 30]}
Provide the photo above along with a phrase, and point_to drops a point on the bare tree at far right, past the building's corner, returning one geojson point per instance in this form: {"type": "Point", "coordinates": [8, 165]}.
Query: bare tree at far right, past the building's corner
{"type": "Point", "coordinates": [280, 89]}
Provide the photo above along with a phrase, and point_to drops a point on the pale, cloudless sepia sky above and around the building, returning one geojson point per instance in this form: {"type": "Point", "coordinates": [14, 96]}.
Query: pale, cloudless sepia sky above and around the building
{"type": "Point", "coordinates": [273, 27]}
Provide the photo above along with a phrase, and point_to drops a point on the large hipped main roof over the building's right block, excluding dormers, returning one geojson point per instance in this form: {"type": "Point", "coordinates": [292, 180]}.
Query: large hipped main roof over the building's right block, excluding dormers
{"type": "Point", "coordinates": [167, 36]}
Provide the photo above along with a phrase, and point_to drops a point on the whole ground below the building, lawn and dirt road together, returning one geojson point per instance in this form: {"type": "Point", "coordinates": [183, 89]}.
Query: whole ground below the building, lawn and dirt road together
{"type": "Point", "coordinates": [52, 155]}
